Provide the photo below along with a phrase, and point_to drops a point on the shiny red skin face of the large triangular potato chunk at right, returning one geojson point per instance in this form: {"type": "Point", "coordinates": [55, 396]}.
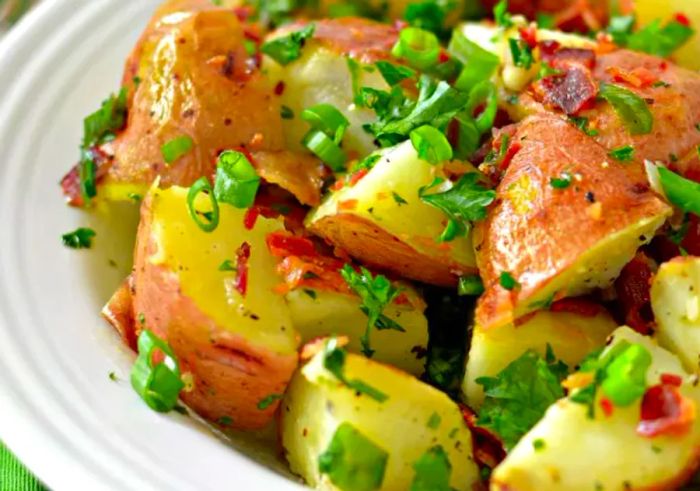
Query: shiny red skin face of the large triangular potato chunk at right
{"type": "Point", "coordinates": [540, 238]}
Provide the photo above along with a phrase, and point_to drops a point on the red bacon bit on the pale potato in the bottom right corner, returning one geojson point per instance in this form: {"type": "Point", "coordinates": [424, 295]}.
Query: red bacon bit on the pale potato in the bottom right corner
{"type": "Point", "coordinates": [665, 411]}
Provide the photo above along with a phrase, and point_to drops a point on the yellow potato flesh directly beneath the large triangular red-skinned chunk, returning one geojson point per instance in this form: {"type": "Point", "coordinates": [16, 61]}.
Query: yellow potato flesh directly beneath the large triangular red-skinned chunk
{"type": "Point", "coordinates": [571, 336]}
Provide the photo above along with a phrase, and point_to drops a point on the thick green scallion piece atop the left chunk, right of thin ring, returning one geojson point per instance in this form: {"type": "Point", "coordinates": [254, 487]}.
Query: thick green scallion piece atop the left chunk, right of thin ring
{"type": "Point", "coordinates": [236, 182]}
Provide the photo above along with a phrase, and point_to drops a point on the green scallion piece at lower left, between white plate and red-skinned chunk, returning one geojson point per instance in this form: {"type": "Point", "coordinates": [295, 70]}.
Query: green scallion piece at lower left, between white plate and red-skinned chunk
{"type": "Point", "coordinates": [158, 384]}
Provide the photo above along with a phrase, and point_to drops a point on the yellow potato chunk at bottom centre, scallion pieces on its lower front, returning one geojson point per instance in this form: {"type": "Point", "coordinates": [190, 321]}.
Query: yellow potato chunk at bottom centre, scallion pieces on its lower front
{"type": "Point", "coordinates": [316, 404]}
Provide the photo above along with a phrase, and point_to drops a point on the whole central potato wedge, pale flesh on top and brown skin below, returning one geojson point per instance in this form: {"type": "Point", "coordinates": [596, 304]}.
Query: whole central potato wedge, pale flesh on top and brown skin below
{"type": "Point", "coordinates": [368, 221]}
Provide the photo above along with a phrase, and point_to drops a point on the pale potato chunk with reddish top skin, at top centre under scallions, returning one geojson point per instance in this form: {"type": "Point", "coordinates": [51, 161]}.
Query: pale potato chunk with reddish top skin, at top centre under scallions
{"type": "Point", "coordinates": [323, 75]}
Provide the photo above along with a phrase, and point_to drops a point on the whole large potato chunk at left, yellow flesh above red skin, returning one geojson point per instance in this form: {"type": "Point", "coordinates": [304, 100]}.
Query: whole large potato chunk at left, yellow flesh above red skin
{"type": "Point", "coordinates": [229, 329]}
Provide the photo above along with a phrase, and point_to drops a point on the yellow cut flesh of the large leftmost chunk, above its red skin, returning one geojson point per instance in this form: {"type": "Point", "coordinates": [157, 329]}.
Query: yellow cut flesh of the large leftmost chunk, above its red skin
{"type": "Point", "coordinates": [194, 257]}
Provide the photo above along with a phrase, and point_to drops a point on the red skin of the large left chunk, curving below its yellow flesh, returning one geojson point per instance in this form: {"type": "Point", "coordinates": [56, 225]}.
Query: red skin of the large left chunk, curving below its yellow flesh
{"type": "Point", "coordinates": [230, 375]}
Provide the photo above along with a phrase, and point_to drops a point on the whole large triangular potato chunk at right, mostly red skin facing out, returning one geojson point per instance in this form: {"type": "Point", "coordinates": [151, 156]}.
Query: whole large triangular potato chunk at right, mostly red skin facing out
{"type": "Point", "coordinates": [540, 242]}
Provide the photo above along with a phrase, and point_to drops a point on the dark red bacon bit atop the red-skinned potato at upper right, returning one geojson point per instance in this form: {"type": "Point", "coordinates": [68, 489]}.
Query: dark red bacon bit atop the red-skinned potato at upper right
{"type": "Point", "coordinates": [571, 92]}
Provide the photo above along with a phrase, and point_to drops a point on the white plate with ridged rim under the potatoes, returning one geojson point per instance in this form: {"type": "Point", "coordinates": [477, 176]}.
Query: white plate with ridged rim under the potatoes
{"type": "Point", "coordinates": [59, 411]}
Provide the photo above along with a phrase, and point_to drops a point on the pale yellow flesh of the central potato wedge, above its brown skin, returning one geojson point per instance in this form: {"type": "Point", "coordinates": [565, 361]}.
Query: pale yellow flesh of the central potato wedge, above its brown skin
{"type": "Point", "coordinates": [414, 223]}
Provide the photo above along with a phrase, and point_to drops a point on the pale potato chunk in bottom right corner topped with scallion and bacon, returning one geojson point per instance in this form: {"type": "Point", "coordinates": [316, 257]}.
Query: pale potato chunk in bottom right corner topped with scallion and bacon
{"type": "Point", "coordinates": [569, 451]}
